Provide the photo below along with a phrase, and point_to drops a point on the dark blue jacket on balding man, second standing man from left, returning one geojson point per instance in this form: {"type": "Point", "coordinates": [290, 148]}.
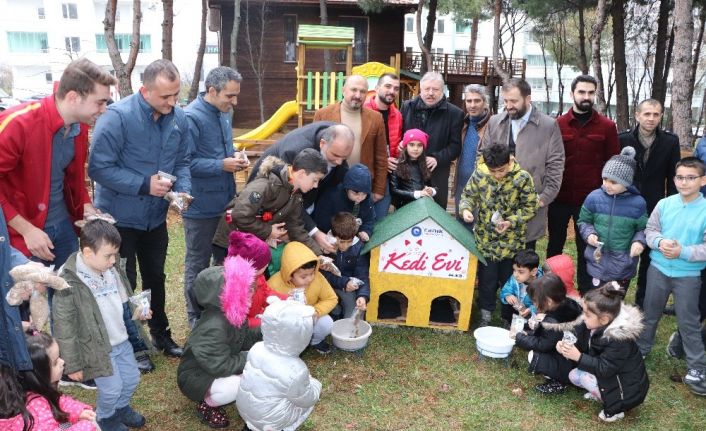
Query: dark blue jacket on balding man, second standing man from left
{"type": "Point", "coordinates": [128, 148]}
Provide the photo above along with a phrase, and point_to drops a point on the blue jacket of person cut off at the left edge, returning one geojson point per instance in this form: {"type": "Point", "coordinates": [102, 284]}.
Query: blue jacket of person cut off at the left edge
{"type": "Point", "coordinates": [13, 349]}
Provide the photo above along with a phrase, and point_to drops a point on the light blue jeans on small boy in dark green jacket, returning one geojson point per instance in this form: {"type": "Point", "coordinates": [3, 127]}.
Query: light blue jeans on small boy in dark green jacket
{"type": "Point", "coordinates": [115, 392]}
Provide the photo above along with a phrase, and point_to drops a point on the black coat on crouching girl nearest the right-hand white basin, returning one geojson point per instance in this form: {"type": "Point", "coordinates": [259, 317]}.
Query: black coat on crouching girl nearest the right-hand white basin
{"type": "Point", "coordinates": [546, 360]}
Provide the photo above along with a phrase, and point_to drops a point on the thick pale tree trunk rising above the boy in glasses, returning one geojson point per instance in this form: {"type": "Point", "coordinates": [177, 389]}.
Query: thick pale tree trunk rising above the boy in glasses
{"type": "Point", "coordinates": [681, 94]}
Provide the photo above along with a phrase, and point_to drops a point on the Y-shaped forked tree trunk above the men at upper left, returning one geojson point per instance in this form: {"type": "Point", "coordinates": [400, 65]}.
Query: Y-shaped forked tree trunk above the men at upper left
{"type": "Point", "coordinates": [123, 71]}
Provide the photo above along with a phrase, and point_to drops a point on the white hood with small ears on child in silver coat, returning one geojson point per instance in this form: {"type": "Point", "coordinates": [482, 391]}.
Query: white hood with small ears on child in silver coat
{"type": "Point", "coordinates": [287, 326]}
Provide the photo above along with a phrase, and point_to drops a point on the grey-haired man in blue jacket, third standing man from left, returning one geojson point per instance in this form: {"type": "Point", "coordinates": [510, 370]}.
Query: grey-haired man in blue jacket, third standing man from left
{"type": "Point", "coordinates": [212, 167]}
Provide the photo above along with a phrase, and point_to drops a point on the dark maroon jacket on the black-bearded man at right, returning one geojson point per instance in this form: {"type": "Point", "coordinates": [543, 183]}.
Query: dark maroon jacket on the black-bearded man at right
{"type": "Point", "coordinates": [587, 149]}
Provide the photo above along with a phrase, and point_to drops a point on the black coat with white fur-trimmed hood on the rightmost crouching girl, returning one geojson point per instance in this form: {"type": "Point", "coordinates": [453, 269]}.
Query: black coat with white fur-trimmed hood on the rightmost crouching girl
{"type": "Point", "coordinates": [612, 355]}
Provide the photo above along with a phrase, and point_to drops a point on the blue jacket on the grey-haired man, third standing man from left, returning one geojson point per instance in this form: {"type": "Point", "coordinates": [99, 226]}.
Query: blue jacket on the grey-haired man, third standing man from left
{"type": "Point", "coordinates": [211, 142]}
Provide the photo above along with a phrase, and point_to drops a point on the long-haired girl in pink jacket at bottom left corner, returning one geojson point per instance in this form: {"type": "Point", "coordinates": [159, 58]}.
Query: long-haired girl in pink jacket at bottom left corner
{"type": "Point", "coordinates": [43, 408]}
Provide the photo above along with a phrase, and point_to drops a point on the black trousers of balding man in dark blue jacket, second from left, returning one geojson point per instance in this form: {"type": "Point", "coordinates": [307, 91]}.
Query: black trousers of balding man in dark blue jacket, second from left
{"type": "Point", "coordinates": [149, 248]}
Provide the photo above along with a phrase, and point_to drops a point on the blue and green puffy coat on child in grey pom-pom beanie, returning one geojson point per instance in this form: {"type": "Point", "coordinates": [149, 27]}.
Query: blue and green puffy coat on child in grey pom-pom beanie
{"type": "Point", "coordinates": [618, 221]}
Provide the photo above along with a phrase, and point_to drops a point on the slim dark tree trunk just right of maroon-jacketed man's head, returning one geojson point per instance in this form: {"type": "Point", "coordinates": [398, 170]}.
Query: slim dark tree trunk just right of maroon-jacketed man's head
{"type": "Point", "coordinates": [621, 78]}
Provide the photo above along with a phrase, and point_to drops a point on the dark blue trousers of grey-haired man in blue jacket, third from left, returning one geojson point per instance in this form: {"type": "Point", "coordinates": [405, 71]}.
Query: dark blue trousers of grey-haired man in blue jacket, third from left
{"type": "Point", "coordinates": [198, 236]}
